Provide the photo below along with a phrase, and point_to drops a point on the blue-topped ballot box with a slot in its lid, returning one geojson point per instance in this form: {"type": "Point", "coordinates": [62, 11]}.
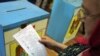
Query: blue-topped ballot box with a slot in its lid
{"type": "Point", "coordinates": [14, 16]}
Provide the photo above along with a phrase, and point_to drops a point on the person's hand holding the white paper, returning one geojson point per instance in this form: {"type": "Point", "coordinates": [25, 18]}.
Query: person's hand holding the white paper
{"type": "Point", "coordinates": [52, 44]}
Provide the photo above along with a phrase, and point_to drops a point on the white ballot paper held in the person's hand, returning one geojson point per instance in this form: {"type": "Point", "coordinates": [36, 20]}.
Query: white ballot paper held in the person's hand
{"type": "Point", "coordinates": [29, 41]}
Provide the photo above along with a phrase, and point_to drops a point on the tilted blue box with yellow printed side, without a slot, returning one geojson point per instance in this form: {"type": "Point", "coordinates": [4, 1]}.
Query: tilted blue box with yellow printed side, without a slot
{"type": "Point", "coordinates": [64, 22]}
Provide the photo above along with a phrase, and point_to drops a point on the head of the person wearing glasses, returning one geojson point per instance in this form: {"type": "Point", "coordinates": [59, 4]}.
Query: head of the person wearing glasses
{"type": "Point", "coordinates": [91, 9]}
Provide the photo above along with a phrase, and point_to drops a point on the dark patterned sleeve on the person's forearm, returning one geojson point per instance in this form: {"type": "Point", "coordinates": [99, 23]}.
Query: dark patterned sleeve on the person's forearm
{"type": "Point", "coordinates": [73, 50]}
